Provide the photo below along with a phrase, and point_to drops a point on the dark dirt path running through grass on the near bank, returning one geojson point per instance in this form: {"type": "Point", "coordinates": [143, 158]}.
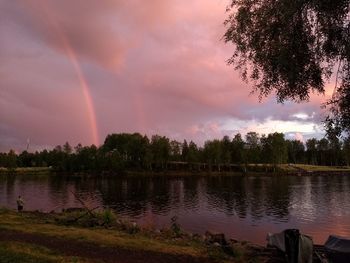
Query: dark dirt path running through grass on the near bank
{"type": "Point", "coordinates": [95, 252]}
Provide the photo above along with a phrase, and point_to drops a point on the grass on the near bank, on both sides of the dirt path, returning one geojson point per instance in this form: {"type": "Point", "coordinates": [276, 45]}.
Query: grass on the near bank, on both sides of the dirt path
{"type": "Point", "coordinates": [50, 225]}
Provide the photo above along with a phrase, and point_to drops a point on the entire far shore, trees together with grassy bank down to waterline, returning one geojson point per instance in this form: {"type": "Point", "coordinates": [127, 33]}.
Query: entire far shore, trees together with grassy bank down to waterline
{"type": "Point", "coordinates": [127, 153]}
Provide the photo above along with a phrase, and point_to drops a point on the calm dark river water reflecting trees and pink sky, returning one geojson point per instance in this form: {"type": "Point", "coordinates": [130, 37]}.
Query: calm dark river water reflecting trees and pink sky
{"type": "Point", "coordinates": [241, 207]}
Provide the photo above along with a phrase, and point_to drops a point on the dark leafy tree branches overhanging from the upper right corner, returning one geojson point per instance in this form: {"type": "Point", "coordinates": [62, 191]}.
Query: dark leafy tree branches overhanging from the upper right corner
{"type": "Point", "coordinates": [292, 48]}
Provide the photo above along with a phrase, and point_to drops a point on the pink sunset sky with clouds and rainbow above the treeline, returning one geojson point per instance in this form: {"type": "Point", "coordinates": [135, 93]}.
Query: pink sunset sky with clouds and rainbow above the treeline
{"type": "Point", "coordinates": [77, 70]}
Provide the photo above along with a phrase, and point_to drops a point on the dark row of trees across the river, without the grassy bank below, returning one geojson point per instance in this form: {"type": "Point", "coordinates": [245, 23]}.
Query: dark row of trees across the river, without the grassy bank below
{"type": "Point", "coordinates": [124, 151]}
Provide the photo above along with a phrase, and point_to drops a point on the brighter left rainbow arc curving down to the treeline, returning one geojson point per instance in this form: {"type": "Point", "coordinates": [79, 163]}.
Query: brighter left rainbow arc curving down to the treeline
{"type": "Point", "coordinates": [82, 81]}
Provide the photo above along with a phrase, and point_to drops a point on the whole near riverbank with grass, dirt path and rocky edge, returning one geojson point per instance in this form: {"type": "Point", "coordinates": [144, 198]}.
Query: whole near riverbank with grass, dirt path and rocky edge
{"type": "Point", "coordinates": [100, 237]}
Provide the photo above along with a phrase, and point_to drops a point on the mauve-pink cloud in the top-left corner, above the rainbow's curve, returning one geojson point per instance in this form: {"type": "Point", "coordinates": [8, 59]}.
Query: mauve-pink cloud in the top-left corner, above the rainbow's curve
{"type": "Point", "coordinates": [83, 25]}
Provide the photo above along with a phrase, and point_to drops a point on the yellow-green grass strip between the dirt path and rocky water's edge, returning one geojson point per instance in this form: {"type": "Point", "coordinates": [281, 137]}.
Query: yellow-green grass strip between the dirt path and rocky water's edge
{"type": "Point", "coordinates": [30, 223]}
